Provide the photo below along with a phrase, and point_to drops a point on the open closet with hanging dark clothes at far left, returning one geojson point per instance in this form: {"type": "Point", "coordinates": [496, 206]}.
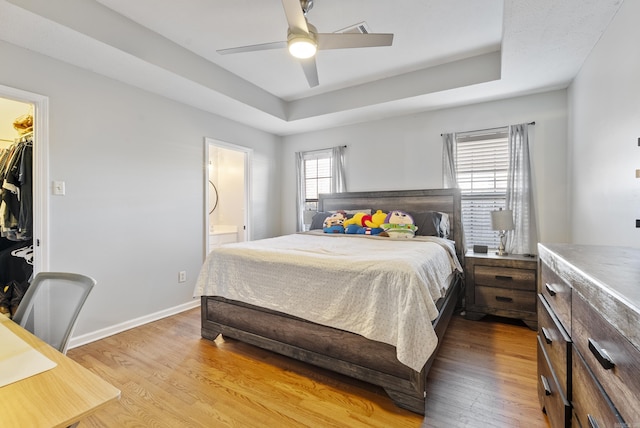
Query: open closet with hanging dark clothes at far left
{"type": "Point", "coordinates": [16, 210]}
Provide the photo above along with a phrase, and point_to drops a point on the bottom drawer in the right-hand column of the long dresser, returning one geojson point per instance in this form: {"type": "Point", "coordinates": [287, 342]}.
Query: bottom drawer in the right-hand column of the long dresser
{"type": "Point", "coordinates": [591, 406]}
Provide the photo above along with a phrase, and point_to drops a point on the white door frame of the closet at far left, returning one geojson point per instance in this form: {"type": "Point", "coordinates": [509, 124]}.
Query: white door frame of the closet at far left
{"type": "Point", "coordinates": [40, 172]}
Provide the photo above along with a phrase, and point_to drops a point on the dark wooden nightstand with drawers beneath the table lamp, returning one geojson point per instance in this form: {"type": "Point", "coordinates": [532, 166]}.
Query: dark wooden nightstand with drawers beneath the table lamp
{"type": "Point", "coordinates": [501, 285]}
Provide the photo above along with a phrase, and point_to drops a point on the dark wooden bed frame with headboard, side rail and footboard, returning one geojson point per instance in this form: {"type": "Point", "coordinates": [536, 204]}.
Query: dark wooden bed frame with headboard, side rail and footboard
{"type": "Point", "coordinates": [338, 350]}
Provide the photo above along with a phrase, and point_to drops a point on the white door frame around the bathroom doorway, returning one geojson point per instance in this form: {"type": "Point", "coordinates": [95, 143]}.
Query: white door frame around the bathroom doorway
{"type": "Point", "coordinates": [248, 159]}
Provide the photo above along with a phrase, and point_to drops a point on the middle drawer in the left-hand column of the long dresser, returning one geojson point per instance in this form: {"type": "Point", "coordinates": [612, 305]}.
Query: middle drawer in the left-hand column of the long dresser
{"type": "Point", "coordinates": [556, 343]}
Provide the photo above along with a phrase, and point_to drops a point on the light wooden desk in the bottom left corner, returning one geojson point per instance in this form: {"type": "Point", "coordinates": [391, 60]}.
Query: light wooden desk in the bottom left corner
{"type": "Point", "coordinates": [59, 397]}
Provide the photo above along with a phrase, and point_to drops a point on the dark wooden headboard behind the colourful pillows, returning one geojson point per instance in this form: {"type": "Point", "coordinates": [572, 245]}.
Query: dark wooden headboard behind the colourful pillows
{"type": "Point", "coordinates": [443, 200]}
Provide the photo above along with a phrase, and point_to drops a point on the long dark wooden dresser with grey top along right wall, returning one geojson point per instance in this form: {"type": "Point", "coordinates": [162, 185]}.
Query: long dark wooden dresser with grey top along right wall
{"type": "Point", "coordinates": [589, 335]}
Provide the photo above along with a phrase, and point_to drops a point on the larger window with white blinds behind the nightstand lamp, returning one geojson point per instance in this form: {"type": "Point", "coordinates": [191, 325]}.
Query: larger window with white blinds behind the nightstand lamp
{"type": "Point", "coordinates": [482, 163]}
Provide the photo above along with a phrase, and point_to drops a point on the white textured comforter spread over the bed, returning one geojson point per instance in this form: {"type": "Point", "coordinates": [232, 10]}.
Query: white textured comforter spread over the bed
{"type": "Point", "coordinates": [381, 288]}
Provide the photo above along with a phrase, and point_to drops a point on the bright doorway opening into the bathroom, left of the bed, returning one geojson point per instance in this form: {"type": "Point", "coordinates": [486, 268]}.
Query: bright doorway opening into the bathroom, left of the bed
{"type": "Point", "coordinates": [227, 180]}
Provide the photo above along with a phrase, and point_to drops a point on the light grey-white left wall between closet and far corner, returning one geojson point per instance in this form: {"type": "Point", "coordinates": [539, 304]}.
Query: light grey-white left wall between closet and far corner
{"type": "Point", "coordinates": [133, 163]}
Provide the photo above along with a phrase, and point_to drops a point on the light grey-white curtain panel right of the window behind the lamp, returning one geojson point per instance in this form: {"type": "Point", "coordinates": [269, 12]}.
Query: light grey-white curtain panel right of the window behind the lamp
{"type": "Point", "coordinates": [524, 238]}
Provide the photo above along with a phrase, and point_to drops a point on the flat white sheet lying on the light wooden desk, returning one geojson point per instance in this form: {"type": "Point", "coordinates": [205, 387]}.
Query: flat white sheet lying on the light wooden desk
{"type": "Point", "coordinates": [18, 360]}
